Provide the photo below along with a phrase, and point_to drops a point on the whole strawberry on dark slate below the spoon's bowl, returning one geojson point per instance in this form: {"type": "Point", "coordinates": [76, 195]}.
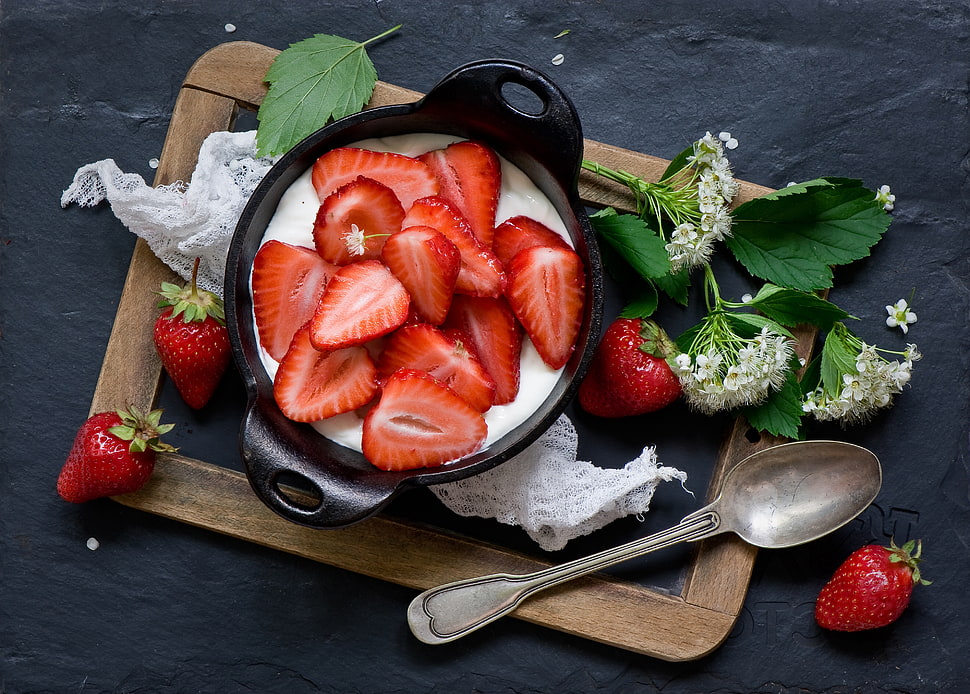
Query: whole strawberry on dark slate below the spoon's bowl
{"type": "Point", "coordinates": [871, 588]}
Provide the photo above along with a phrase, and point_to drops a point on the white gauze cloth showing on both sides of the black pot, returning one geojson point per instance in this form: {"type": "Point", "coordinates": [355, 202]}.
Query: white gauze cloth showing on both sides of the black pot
{"type": "Point", "coordinates": [544, 490]}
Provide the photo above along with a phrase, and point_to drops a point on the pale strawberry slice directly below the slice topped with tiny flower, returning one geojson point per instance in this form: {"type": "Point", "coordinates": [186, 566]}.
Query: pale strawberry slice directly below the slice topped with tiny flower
{"type": "Point", "coordinates": [363, 301]}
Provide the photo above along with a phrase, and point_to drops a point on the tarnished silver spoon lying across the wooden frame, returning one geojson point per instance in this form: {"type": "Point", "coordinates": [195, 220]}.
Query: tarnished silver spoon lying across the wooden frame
{"type": "Point", "coordinates": [778, 497]}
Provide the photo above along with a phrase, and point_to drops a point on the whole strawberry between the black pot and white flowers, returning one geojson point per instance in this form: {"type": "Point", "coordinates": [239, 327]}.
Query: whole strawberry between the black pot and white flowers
{"type": "Point", "coordinates": [629, 374]}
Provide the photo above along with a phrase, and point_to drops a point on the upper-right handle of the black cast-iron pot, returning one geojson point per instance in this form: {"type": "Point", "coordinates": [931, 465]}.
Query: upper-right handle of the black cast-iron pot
{"type": "Point", "coordinates": [538, 116]}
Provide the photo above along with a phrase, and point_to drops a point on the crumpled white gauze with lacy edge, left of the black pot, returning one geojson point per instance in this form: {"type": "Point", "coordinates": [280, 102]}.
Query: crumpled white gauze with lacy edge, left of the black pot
{"type": "Point", "coordinates": [181, 222]}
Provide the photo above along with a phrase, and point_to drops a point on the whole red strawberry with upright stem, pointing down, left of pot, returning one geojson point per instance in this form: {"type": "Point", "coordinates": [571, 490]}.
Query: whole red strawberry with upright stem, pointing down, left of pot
{"type": "Point", "coordinates": [192, 340]}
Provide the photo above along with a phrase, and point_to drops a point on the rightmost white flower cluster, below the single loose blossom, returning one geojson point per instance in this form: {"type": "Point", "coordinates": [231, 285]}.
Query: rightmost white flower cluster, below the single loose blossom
{"type": "Point", "coordinates": [870, 387]}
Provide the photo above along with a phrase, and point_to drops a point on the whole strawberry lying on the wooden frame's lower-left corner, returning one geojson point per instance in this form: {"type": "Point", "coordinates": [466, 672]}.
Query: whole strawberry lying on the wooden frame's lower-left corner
{"type": "Point", "coordinates": [113, 453]}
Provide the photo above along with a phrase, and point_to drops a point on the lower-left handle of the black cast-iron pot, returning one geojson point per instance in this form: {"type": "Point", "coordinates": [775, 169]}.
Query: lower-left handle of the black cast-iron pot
{"type": "Point", "coordinates": [305, 490]}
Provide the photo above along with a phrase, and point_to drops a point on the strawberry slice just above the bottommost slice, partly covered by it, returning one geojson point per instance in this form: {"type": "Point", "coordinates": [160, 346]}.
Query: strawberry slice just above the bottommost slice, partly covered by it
{"type": "Point", "coordinates": [424, 347]}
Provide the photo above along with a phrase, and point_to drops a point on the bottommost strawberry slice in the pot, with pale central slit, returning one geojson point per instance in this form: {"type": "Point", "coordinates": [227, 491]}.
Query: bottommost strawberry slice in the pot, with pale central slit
{"type": "Point", "coordinates": [420, 422]}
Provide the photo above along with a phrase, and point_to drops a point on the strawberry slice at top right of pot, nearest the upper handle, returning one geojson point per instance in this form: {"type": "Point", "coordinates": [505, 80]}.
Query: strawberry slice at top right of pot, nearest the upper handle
{"type": "Point", "coordinates": [470, 176]}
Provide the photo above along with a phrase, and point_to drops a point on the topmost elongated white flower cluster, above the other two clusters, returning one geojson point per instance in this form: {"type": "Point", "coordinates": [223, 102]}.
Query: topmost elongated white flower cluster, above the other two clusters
{"type": "Point", "coordinates": [691, 242]}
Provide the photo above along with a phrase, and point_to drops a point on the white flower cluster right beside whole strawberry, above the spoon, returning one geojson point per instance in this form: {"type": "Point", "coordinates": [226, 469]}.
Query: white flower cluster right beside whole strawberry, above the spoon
{"type": "Point", "coordinates": [726, 375]}
